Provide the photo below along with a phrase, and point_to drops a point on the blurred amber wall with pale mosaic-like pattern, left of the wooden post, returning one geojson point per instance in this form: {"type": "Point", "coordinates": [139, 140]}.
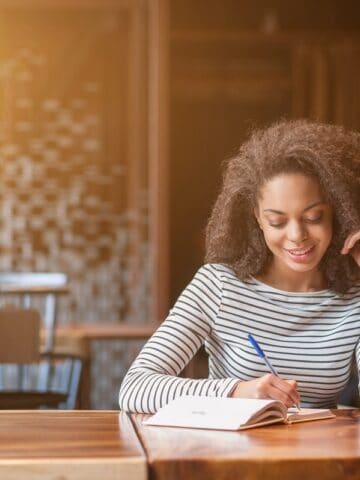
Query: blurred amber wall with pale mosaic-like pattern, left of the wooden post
{"type": "Point", "coordinates": [74, 162]}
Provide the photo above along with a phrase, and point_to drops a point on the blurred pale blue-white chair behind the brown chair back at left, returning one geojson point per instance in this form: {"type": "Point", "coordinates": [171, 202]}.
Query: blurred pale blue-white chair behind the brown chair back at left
{"type": "Point", "coordinates": [41, 290]}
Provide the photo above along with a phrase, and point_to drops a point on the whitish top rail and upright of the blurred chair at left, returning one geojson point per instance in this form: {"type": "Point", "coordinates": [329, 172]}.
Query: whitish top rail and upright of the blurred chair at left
{"type": "Point", "coordinates": [27, 285]}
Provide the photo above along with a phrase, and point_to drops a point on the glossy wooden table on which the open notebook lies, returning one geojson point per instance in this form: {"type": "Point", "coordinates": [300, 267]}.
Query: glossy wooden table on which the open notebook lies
{"type": "Point", "coordinates": [320, 450]}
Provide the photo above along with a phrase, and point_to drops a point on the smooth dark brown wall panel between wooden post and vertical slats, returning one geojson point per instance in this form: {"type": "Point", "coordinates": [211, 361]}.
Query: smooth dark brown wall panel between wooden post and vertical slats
{"type": "Point", "coordinates": [222, 85]}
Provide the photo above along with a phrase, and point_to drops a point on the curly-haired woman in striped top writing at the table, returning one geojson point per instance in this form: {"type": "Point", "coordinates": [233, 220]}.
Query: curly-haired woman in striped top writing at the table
{"type": "Point", "coordinates": [283, 256]}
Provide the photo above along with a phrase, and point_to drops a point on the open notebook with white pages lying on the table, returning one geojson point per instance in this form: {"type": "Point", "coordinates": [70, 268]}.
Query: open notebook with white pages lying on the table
{"type": "Point", "coordinates": [230, 413]}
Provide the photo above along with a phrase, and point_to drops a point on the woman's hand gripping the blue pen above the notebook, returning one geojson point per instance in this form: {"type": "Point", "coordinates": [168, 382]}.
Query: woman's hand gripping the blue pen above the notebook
{"type": "Point", "coordinates": [271, 387]}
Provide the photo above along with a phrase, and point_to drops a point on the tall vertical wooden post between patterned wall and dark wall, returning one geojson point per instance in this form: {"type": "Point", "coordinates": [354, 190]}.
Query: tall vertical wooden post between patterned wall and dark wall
{"type": "Point", "coordinates": [158, 155]}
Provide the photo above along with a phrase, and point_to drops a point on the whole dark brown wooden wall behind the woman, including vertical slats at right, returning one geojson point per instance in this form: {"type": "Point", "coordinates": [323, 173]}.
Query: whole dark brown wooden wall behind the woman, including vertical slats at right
{"type": "Point", "coordinates": [224, 82]}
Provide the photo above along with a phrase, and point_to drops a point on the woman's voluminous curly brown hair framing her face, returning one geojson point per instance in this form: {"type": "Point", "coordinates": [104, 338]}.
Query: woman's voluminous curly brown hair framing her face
{"type": "Point", "coordinates": [329, 153]}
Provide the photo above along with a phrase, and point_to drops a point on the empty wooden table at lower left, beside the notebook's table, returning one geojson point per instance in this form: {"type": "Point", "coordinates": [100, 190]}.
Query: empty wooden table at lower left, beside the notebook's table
{"type": "Point", "coordinates": [69, 445]}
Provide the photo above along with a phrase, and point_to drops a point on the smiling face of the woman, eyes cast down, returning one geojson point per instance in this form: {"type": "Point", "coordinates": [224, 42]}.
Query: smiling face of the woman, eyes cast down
{"type": "Point", "coordinates": [296, 222]}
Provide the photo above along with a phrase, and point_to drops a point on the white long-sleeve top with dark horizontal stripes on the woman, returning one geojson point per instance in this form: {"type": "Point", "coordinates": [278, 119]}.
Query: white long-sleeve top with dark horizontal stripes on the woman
{"type": "Point", "coordinates": [308, 337]}
